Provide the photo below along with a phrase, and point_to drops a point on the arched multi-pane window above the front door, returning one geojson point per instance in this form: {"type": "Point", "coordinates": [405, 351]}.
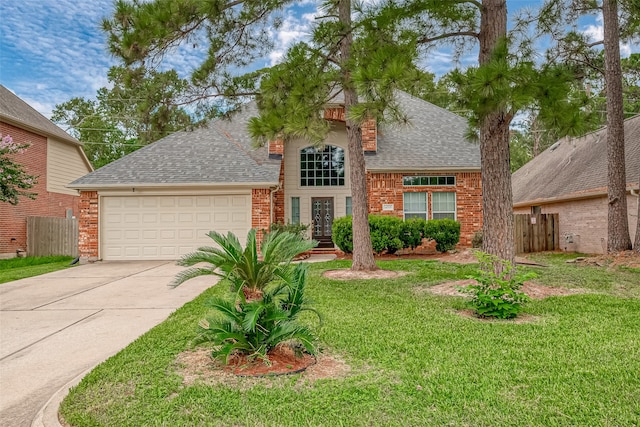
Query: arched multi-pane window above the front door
{"type": "Point", "coordinates": [322, 167]}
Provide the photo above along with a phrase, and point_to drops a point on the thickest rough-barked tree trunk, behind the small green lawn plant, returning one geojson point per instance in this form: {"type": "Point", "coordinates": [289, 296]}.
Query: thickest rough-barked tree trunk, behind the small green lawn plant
{"type": "Point", "coordinates": [497, 199]}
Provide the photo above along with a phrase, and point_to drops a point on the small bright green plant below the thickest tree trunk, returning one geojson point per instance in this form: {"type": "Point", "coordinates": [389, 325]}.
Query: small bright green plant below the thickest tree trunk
{"type": "Point", "coordinates": [497, 294]}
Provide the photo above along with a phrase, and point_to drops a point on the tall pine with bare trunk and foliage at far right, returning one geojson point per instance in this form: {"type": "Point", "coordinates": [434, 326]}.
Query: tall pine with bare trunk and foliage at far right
{"type": "Point", "coordinates": [621, 21]}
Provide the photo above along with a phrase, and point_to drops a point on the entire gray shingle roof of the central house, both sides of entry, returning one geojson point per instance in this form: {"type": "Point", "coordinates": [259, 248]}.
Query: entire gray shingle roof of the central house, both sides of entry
{"type": "Point", "coordinates": [222, 151]}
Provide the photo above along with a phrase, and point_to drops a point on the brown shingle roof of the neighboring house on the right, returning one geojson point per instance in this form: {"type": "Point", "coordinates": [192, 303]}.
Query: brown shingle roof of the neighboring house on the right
{"type": "Point", "coordinates": [575, 168]}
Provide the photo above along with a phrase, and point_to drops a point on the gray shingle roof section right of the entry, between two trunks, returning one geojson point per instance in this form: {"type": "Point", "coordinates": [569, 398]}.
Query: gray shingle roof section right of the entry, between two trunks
{"type": "Point", "coordinates": [434, 139]}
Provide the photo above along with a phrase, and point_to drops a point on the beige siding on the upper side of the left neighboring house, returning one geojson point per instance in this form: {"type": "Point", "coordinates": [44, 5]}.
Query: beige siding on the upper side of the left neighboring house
{"type": "Point", "coordinates": [65, 163]}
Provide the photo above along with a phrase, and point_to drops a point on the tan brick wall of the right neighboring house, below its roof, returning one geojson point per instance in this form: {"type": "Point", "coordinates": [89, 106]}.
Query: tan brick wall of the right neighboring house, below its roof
{"type": "Point", "coordinates": [583, 223]}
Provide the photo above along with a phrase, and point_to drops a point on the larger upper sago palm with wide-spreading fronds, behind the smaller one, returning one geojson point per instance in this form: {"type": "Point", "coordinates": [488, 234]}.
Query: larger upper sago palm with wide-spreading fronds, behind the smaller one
{"type": "Point", "coordinates": [246, 269]}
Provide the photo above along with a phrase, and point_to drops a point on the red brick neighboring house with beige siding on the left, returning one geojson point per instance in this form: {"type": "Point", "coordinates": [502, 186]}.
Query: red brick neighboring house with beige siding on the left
{"type": "Point", "coordinates": [54, 157]}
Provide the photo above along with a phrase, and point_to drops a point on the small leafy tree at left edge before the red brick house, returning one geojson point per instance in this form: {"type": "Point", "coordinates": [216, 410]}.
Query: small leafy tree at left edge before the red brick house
{"type": "Point", "coordinates": [14, 181]}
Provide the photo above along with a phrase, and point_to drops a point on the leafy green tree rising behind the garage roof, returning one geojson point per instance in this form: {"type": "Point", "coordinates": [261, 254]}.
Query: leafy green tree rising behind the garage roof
{"type": "Point", "coordinates": [142, 106]}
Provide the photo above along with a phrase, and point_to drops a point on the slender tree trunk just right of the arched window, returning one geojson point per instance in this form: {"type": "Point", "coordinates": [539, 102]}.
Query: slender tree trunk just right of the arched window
{"type": "Point", "coordinates": [362, 249]}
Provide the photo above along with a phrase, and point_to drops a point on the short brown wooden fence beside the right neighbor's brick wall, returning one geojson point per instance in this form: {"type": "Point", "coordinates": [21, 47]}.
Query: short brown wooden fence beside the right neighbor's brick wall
{"type": "Point", "coordinates": [536, 233]}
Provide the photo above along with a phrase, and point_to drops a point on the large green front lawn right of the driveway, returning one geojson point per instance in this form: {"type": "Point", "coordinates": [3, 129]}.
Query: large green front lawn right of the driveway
{"type": "Point", "coordinates": [414, 361]}
